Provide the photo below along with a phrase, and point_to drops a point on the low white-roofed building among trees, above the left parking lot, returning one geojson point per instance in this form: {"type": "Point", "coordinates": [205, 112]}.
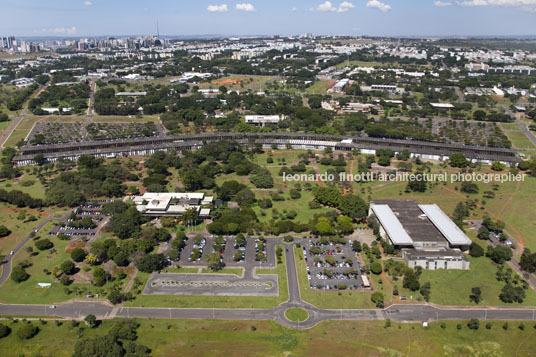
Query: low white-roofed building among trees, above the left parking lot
{"type": "Point", "coordinates": [158, 204]}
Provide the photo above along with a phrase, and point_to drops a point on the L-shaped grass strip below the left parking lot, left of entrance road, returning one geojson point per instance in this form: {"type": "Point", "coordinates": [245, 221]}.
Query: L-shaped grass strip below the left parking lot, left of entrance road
{"type": "Point", "coordinates": [197, 301]}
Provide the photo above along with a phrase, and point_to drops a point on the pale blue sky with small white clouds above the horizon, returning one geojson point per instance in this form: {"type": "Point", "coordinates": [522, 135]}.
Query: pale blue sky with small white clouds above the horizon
{"type": "Point", "coordinates": [81, 18]}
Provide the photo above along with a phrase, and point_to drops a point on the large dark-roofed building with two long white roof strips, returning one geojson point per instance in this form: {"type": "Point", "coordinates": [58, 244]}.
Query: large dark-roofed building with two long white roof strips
{"type": "Point", "coordinates": [426, 236]}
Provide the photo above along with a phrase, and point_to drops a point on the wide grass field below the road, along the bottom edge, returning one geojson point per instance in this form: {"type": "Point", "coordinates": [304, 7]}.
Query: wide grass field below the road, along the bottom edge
{"type": "Point", "coordinates": [267, 338]}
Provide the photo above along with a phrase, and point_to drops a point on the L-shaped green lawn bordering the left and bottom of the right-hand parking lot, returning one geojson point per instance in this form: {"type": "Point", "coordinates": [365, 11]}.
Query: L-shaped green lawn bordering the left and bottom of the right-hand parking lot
{"type": "Point", "coordinates": [331, 299]}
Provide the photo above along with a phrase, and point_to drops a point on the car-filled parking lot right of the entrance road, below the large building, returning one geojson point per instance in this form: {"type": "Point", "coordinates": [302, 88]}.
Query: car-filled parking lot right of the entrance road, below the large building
{"type": "Point", "coordinates": [332, 266]}
